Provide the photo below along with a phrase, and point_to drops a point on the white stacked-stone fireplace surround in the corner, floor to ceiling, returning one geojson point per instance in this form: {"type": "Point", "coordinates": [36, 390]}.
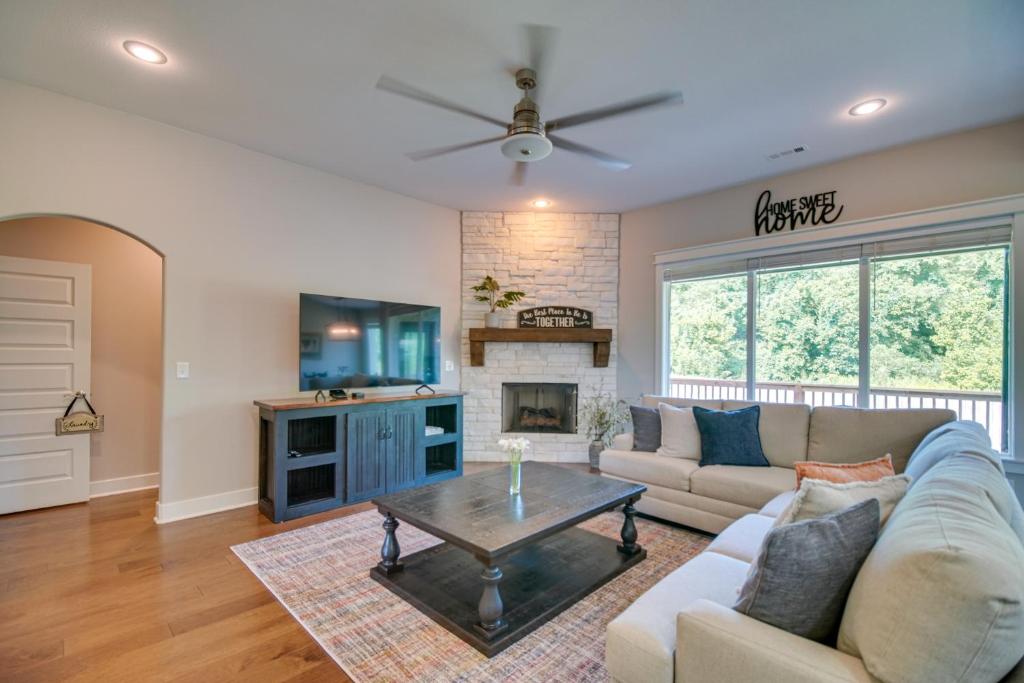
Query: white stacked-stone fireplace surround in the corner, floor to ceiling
{"type": "Point", "coordinates": [557, 260]}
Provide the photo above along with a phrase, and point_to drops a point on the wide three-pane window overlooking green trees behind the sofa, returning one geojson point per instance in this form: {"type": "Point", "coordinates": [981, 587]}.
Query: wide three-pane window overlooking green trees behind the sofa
{"type": "Point", "coordinates": [913, 323]}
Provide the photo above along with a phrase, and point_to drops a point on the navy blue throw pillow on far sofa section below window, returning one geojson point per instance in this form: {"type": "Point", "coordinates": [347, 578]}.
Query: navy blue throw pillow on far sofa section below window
{"type": "Point", "coordinates": [731, 438]}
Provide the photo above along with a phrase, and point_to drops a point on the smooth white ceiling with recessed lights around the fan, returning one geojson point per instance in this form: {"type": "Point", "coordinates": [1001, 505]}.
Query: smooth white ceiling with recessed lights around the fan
{"type": "Point", "coordinates": [296, 80]}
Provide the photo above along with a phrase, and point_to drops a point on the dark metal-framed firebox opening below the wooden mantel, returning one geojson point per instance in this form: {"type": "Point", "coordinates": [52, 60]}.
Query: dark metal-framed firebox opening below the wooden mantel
{"type": "Point", "coordinates": [536, 407]}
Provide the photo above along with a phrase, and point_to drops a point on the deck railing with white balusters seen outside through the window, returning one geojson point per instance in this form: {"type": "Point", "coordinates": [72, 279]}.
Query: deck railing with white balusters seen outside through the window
{"type": "Point", "coordinates": [983, 407]}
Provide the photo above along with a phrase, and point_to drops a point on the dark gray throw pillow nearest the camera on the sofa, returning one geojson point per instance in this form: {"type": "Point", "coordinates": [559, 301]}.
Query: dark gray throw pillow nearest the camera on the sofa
{"type": "Point", "coordinates": [804, 572]}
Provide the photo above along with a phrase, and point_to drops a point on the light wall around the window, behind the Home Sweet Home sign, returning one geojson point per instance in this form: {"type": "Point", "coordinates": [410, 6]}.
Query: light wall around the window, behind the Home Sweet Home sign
{"type": "Point", "coordinates": [979, 164]}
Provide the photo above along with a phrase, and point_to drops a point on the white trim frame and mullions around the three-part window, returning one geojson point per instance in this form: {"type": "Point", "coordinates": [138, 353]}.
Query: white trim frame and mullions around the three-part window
{"type": "Point", "coordinates": [1001, 212]}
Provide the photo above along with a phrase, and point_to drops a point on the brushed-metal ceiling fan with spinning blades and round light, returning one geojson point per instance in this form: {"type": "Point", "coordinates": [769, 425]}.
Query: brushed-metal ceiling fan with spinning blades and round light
{"type": "Point", "coordinates": [528, 139]}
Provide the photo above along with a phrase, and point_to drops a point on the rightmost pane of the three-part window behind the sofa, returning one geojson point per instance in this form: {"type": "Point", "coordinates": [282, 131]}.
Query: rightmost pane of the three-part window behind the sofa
{"type": "Point", "coordinates": [940, 334]}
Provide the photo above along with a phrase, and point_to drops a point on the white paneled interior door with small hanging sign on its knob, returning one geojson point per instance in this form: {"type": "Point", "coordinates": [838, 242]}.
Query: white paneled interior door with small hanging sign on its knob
{"type": "Point", "coordinates": [46, 333]}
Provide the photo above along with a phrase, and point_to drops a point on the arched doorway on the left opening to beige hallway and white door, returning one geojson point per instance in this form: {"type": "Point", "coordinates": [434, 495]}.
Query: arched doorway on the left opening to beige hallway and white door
{"type": "Point", "coordinates": [125, 358]}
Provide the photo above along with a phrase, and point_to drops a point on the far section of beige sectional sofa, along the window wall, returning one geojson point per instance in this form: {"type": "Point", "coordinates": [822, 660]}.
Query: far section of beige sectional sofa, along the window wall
{"type": "Point", "coordinates": [712, 498]}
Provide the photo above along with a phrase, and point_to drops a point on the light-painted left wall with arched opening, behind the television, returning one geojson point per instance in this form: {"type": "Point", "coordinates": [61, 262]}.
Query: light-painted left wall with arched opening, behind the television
{"type": "Point", "coordinates": [242, 234]}
